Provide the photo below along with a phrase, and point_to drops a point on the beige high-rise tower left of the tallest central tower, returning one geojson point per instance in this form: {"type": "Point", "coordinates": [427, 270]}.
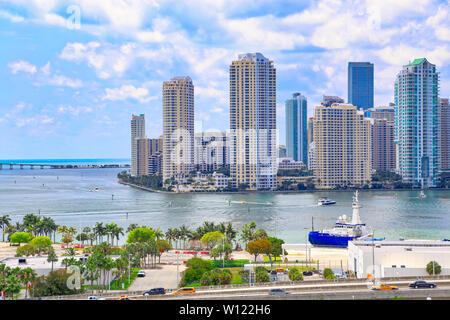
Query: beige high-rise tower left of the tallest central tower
{"type": "Point", "coordinates": [178, 127]}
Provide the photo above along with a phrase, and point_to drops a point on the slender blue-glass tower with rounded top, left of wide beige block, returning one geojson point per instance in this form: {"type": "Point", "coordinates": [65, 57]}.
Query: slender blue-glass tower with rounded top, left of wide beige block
{"type": "Point", "coordinates": [296, 128]}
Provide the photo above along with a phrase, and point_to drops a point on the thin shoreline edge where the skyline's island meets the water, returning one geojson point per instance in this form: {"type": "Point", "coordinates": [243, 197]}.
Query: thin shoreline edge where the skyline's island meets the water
{"type": "Point", "coordinates": [275, 192]}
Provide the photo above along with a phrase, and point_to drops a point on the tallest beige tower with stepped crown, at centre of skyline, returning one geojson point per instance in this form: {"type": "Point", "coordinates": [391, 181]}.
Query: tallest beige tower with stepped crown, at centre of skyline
{"type": "Point", "coordinates": [253, 149]}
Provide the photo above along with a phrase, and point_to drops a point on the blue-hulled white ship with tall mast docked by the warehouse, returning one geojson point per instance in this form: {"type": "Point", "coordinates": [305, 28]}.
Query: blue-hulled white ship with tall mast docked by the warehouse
{"type": "Point", "coordinates": [343, 231]}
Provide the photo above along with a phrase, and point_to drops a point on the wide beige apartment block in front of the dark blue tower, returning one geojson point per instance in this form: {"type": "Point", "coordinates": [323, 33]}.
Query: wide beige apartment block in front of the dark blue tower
{"type": "Point", "coordinates": [342, 146]}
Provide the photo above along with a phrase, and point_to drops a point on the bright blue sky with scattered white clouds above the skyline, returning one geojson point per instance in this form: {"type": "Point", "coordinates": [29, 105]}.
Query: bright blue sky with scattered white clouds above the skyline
{"type": "Point", "coordinates": [73, 72]}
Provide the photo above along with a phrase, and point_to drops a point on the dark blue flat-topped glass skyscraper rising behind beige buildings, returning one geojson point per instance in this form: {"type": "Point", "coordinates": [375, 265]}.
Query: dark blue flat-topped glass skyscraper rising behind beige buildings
{"type": "Point", "coordinates": [360, 84]}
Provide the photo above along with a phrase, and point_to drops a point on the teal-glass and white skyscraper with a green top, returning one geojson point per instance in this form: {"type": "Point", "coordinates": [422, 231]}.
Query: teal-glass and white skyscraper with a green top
{"type": "Point", "coordinates": [416, 123]}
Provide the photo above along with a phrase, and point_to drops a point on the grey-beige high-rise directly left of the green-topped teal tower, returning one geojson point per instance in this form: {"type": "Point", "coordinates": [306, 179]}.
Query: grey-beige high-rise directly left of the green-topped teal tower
{"type": "Point", "coordinates": [383, 147]}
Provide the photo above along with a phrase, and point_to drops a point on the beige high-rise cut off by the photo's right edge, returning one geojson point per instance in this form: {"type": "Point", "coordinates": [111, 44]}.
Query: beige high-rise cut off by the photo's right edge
{"type": "Point", "coordinates": [444, 134]}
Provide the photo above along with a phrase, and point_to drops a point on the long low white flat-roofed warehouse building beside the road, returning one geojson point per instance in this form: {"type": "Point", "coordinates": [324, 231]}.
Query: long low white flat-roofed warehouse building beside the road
{"type": "Point", "coordinates": [403, 258]}
